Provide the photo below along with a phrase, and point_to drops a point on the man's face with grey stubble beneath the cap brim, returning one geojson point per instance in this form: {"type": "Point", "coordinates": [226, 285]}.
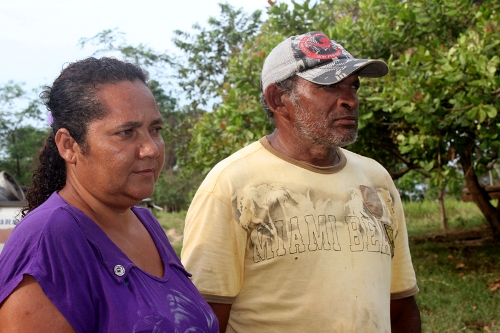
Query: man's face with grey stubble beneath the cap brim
{"type": "Point", "coordinates": [326, 116]}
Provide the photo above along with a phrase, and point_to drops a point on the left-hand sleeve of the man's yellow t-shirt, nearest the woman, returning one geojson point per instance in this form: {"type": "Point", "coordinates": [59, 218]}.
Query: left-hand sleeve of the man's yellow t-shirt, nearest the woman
{"type": "Point", "coordinates": [214, 248]}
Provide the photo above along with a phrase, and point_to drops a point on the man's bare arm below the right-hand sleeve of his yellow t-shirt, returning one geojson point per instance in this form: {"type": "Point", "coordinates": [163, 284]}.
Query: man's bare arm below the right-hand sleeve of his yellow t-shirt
{"type": "Point", "coordinates": [405, 316]}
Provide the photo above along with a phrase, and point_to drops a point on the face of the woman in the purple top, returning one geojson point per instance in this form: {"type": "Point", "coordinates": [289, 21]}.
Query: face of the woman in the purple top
{"type": "Point", "coordinates": [124, 151]}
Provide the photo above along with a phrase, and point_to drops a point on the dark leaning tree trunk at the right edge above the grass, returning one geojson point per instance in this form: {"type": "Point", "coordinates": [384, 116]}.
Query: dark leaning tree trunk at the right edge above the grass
{"type": "Point", "coordinates": [479, 195]}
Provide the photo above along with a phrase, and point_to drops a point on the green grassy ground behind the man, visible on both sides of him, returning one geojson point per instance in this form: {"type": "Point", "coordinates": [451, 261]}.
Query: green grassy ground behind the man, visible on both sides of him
{"type": "Point", "coordinates": [458, 274]}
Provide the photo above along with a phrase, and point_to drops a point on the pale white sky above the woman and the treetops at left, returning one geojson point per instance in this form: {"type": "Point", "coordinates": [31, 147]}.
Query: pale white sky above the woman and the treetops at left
{"type": "Point", "coordinates": [37, 37]}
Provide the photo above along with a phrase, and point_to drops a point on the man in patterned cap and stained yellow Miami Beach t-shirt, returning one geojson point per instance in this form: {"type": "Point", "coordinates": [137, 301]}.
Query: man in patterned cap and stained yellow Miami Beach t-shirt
{"type": "Point", "coordinates": [293, 233]}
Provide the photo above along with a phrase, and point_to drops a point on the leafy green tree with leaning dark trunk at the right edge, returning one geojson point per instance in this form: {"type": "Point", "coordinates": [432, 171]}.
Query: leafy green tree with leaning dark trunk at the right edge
{"type": "Point", "coordinates": [443, 94]}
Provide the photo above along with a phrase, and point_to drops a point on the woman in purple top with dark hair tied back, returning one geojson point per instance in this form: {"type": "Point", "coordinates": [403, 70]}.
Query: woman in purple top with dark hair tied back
{"type": "Point", "coordinates": [83, 259]}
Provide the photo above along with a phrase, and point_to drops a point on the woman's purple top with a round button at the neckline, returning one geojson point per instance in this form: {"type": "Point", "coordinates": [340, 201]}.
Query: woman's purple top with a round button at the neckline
{"type": "Point", "coordinates": [93, 283]}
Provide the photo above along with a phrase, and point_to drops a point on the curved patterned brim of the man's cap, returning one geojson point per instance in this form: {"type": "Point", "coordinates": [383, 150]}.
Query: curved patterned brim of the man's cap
{"type": "Point", "coordinates": [337, 70]}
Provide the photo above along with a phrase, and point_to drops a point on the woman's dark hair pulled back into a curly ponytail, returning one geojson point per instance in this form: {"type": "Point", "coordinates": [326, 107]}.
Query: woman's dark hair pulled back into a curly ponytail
{"type": "Point", "coordinates": [73, 102]}
